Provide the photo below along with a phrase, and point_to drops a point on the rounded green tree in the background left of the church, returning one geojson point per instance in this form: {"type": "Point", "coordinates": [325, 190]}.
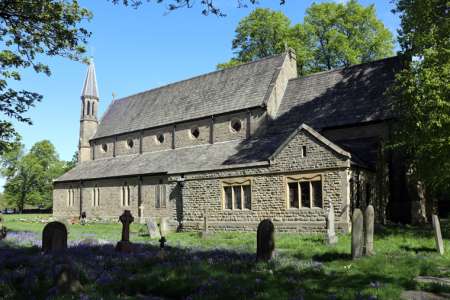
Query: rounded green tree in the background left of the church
{"type": "Point", "coordinates": [29, 179]}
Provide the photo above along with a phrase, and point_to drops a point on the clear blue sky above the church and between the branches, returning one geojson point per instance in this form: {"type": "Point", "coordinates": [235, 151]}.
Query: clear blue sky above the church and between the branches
{"type": "Point", "coordinates": [136, 50]}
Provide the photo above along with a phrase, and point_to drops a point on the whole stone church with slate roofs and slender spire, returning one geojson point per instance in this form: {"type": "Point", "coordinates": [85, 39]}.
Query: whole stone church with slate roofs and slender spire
{"type": "Point", "coordinates": [238, 146]}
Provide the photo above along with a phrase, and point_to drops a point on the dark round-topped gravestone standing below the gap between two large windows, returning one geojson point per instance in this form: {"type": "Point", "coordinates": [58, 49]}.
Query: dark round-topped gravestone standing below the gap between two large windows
{"type": "Point", "coordinates": [265, 241]}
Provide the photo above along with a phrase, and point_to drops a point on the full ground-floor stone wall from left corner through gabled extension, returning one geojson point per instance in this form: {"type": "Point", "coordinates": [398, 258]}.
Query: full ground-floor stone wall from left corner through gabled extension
{"type": "Point", "coordinates": [202, 193]}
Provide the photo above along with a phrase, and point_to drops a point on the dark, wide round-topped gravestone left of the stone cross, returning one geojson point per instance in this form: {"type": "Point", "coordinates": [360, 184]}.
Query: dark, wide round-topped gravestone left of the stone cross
{"type": "Point", "coordinates": [54, 237]}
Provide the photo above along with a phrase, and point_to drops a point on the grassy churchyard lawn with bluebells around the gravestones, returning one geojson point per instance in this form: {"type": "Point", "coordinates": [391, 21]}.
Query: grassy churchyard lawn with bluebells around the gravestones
{"type": "Point", "coordinates": [222, 266]}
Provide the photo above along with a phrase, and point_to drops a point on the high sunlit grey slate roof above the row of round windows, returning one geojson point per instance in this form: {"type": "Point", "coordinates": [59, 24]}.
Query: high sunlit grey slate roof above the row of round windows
{"type": "Point", "coordinates": [237, 88]}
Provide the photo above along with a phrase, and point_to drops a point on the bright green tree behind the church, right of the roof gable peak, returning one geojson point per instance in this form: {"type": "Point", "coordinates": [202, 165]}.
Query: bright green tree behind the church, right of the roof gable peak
{"type": "Point", "coordinates": [346, 34]}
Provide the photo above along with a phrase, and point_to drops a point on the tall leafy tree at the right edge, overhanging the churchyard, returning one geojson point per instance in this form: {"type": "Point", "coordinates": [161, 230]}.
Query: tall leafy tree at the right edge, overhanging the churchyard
{"type": "Point", "coordinates": [422, 91]}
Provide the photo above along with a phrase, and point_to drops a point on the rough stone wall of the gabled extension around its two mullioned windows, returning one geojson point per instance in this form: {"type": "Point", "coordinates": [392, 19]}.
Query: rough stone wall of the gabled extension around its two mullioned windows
{"type": "Point", "coordinates": [203, 193]}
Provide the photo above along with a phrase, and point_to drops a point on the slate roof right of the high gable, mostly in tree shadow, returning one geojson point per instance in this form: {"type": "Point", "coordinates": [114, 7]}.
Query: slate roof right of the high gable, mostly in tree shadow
{"type": "Point", "coordinates": [339, 97]}
